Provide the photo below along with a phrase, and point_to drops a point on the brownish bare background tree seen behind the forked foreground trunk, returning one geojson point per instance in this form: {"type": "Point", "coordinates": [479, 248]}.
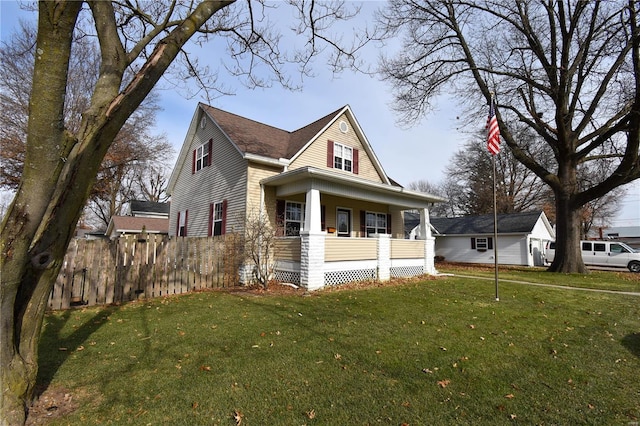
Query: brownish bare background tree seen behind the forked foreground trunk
{"type": "Point", "coordinates": [134, 148]}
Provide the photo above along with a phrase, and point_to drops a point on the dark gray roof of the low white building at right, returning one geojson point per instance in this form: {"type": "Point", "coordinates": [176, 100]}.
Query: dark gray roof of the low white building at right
{"type": "Point", "coordinates": [512, 223]}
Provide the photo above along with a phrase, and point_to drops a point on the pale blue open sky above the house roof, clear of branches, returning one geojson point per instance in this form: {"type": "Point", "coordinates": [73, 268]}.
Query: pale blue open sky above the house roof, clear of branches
{"type": "Point", "coordinates": [421, 152]}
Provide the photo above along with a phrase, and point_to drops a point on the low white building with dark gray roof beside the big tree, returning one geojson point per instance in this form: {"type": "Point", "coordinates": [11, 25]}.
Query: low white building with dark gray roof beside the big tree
{"type": "Point", "coordinates": [522, 238]}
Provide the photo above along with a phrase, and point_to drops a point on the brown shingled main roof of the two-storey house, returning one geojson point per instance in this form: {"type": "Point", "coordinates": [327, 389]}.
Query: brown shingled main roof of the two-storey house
{"type": "Point", "coordinates": [261, 139]}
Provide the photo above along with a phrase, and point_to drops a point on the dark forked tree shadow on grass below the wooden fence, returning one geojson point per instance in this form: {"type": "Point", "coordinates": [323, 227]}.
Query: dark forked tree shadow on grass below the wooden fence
{"type": "Point", "coordinates": [55, 347]}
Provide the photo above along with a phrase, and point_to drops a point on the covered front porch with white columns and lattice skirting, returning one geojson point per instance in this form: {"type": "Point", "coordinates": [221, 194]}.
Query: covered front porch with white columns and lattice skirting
{"type": "Point", "coordinates": [350, 229]}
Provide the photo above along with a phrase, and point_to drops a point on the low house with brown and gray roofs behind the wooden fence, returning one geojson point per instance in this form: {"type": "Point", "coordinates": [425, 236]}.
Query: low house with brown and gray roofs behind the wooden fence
{"type": "Point", "coordinates": [149, 216]}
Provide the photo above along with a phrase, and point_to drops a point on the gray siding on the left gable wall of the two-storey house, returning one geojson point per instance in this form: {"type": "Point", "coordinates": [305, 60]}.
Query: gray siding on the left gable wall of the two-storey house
{"type": "Point", "coordinates": [226, 178]}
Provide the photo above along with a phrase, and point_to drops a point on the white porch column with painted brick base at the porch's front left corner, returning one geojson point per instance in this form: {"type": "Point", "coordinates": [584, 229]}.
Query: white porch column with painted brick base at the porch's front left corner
{"type": "Point", "coordinates": [312, 244]}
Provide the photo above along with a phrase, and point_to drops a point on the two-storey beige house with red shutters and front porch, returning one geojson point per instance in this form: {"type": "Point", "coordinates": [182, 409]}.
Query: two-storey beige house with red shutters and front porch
{"type": "Point", "coordinates": [314, 185]}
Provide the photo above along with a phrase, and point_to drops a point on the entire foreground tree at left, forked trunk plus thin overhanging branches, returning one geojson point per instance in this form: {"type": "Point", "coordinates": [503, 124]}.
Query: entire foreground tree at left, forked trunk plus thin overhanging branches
{"type": "Point", "coordinates": [138, 43]}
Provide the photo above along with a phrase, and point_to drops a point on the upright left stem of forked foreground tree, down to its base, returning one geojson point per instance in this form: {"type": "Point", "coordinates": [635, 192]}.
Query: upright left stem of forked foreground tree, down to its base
{"type": "Point", "coordinates": [32, 246]}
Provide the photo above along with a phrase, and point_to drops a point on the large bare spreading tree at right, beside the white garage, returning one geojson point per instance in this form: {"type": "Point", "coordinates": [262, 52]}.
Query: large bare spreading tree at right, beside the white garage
{"type": "Point", "coordinates": [570, 71]}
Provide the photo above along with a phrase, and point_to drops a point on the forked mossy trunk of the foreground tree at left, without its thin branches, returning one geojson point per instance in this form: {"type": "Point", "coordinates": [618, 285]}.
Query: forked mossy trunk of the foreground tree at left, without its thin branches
{"type": "Point", "coordinates": [59, 171]}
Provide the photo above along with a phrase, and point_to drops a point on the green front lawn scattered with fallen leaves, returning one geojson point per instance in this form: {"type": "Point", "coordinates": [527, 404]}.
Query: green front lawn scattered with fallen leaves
{"type": "Point", "coordinates": [432, 352]}
